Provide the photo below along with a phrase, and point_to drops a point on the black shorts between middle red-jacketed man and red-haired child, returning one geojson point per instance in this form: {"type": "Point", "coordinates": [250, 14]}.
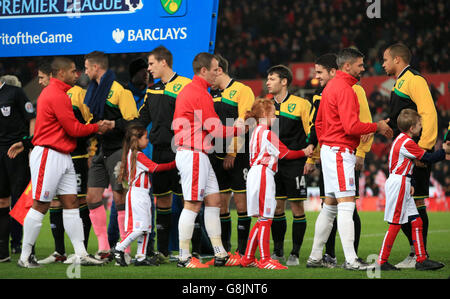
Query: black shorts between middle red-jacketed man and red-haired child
{"type": "Point", "coordinates": [235, 179]}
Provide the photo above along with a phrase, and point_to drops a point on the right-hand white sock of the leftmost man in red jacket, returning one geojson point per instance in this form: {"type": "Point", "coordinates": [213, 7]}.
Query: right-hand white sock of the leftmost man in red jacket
{"type": "Point", "coordinates": [73, 225]}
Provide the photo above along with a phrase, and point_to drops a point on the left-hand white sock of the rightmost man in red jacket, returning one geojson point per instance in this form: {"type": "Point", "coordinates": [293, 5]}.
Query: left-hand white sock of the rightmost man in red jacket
{"type": "Point", "coordinates": [323, 227]}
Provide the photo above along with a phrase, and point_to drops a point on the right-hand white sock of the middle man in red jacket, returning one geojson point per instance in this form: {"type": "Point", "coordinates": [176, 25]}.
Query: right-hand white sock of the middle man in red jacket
{"type": "Point", "coordinates": [213, 228]}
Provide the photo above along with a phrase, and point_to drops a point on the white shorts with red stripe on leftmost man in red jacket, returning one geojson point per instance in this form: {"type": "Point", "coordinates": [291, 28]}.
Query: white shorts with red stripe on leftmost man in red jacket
{"type": "Point", "coordinates": [52, 173]}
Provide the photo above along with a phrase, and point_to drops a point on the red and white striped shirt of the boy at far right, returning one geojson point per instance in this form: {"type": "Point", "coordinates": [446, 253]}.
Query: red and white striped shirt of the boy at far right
{"type": "Point", "coordinates": [403, 151]}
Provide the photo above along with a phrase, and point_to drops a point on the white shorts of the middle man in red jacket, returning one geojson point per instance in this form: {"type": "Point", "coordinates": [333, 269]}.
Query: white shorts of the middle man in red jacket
{"type": "Point", "coordinates": [198, 178]}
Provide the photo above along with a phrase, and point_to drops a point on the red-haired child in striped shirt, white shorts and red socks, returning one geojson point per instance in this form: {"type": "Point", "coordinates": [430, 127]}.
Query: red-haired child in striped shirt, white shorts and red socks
{"type": "Point", "coordinates": [265, 150]}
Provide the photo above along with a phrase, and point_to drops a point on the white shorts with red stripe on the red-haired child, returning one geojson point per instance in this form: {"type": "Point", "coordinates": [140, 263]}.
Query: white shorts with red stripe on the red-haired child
{"type": "Point", "coordinates": [261, 192]}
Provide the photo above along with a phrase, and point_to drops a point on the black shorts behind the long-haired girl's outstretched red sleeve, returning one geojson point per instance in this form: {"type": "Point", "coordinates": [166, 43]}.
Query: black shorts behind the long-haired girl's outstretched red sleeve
{"type": "Point", "coordinates": [166, 182]}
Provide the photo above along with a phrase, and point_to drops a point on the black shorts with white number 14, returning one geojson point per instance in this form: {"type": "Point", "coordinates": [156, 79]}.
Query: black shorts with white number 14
{"type": "Point", "coordinates": [290, 181]}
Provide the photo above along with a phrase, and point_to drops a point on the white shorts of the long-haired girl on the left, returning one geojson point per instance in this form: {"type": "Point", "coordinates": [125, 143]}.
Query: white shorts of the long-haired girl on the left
{"type": "Point", "coordinates": [138, 213]}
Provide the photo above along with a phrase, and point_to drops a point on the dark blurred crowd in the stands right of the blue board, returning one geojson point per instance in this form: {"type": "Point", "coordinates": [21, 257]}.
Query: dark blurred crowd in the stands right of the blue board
{"type": "Point", "coordinates": [258, 34]}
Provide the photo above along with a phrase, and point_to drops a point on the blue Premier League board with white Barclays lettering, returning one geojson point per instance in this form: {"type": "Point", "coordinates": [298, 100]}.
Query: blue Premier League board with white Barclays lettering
{"type": "Point", "coordinates": [72, 27]}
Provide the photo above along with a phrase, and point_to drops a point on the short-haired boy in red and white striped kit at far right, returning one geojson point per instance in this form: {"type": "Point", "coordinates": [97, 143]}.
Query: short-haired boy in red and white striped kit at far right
{"type": "Point", "coordinates": [400, 207]}
